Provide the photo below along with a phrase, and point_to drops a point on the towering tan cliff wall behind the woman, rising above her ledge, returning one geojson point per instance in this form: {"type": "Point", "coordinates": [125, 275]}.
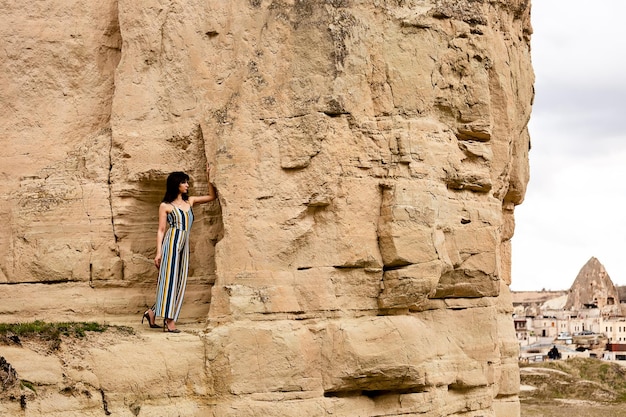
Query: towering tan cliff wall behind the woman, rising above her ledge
{"type": "Point", "coordinates": [368, 157]}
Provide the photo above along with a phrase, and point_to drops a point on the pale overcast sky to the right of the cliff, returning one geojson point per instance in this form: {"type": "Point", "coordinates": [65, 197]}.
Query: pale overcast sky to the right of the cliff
{"type": "Point", "coordinates": [575, 205]}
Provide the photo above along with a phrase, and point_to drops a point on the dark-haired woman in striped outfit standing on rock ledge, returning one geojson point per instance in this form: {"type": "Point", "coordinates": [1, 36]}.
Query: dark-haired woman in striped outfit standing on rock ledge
{"type": "Point", "coordinates": [172, 256]}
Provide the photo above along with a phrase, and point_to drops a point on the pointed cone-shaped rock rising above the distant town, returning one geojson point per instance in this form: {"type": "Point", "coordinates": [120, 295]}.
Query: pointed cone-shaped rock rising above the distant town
{"type": "Point", "coordinates": [593, 287]}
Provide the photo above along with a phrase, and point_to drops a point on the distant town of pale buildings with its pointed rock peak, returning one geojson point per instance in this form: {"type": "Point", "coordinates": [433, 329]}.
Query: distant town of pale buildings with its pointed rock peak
{"type": "Point", "coordinates": [588, 320]}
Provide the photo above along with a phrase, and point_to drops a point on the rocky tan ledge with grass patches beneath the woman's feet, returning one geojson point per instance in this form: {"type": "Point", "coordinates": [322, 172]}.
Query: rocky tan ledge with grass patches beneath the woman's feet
{"type": "Point", "coordinates": [103, 372]}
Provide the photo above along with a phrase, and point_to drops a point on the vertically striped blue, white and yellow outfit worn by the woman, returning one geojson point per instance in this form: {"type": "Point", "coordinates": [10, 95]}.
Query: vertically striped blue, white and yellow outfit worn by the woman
{"type": "Point", "coordinates": [174, 264]}
